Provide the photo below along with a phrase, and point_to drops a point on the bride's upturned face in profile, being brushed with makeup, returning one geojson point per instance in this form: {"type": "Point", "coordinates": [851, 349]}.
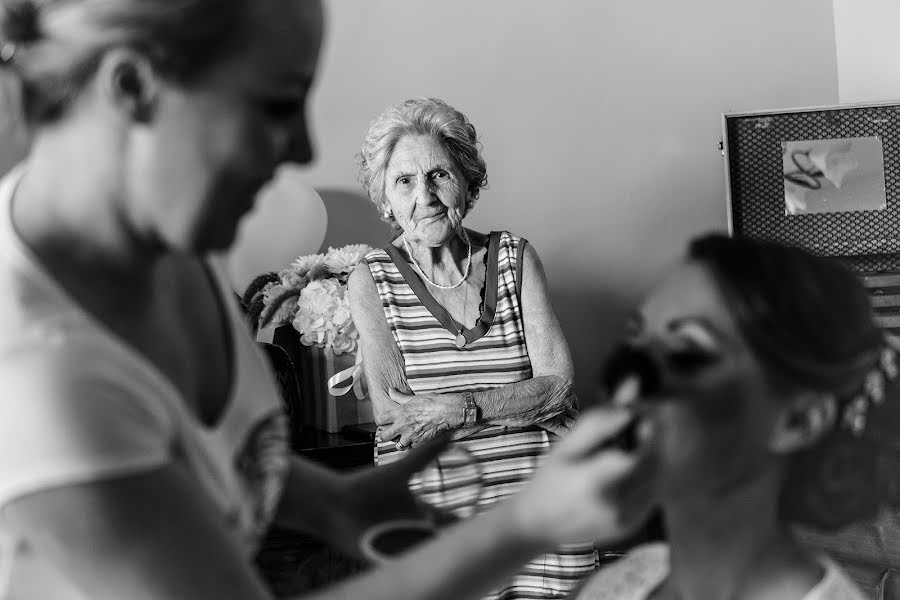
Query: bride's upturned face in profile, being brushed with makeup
{"type": "Point", "coordinates": [715, 413]}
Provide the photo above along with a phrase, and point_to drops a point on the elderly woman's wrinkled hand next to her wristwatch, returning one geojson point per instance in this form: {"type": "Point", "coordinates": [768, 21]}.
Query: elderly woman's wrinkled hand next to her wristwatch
{"type": "Point", "coordinates": [417, 418]}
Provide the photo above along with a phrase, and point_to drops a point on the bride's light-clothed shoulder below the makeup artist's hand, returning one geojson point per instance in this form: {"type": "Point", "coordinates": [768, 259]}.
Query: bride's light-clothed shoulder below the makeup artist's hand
{"type": "Point", "coordinates": [632, 577]}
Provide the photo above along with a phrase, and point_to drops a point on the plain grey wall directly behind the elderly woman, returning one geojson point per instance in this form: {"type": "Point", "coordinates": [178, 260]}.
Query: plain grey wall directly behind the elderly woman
{"type": "Point", "coordinates": [600, 122]}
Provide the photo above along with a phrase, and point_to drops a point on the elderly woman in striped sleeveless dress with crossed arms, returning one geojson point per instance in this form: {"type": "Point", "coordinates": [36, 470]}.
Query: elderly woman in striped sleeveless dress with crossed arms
{"type": "Point", "coordinates": [456, 326]}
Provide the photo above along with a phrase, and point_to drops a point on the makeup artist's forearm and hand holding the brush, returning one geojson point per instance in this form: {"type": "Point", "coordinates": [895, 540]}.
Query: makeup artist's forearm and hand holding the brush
{"type": "Point", "coordinates": [581, 491]}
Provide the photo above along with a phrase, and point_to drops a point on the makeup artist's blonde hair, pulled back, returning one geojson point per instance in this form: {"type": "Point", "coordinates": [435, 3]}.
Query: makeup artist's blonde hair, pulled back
{"type": "Point", "coordinates": [55, 46]}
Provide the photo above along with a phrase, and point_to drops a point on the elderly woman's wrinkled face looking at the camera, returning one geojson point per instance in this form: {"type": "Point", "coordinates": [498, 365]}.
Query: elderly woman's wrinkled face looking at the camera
{"type": "Point", "coordinates": [425, 190]}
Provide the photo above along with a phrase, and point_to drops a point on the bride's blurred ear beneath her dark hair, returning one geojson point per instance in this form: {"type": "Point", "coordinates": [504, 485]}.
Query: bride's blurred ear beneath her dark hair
{"type": "Point", "coordinates": [803, 422]}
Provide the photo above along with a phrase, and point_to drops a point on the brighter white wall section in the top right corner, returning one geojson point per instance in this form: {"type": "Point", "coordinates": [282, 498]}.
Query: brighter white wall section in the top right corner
{"type": "Point", "coordinates": [868, 50]}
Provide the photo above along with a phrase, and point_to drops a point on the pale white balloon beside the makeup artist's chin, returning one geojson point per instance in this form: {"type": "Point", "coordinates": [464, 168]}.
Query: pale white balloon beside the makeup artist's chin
{"type": "Point", "coordinates": [287, 221]}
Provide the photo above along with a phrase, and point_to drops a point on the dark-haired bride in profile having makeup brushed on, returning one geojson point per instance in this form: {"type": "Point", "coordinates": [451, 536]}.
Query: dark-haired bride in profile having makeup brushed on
{"type": "Point", "coordinates": [769, 411]}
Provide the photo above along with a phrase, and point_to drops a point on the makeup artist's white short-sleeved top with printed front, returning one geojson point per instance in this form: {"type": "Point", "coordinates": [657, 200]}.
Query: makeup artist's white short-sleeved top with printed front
{"type": "Point", "coordinates": [77, 404]}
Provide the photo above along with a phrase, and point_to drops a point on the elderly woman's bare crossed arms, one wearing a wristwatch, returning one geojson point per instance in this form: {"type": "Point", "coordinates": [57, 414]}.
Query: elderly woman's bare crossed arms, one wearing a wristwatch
{"type": "Point", "coordinates": [547, 399]}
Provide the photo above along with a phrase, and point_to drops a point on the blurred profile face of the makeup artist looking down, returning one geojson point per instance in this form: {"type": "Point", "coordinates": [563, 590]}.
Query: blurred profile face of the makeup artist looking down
{"type": "Point", "coordinates": [213, 144]}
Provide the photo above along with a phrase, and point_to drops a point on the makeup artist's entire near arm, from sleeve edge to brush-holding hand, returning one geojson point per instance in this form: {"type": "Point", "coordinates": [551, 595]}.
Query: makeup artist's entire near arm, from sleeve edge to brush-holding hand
{"type": "Point", "coordinates": [156, 534]}
